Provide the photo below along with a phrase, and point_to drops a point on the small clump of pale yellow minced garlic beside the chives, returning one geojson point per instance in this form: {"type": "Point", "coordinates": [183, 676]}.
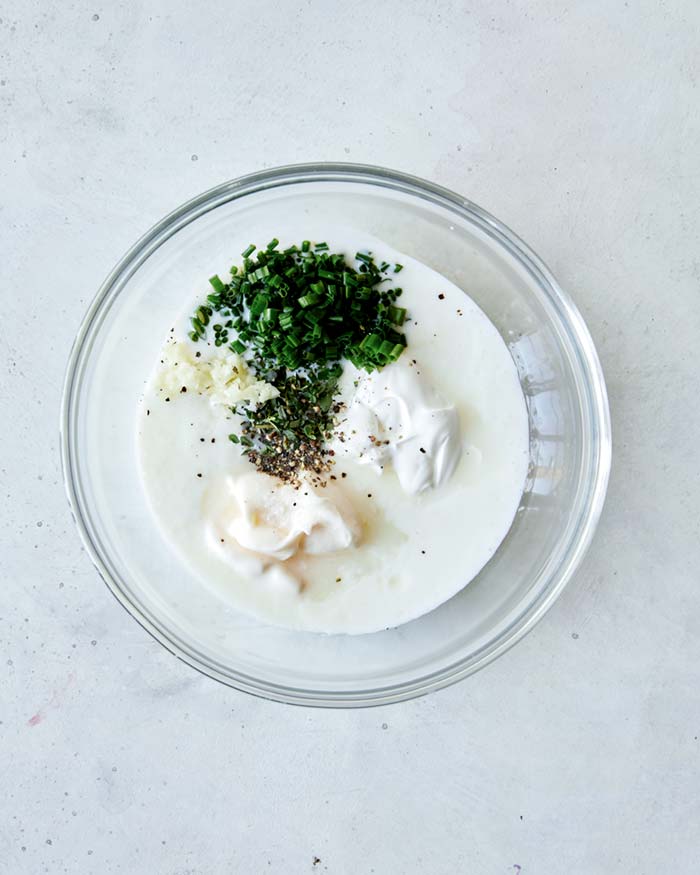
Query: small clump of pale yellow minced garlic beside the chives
{"type": "Point", "coordinates": [226, 379]}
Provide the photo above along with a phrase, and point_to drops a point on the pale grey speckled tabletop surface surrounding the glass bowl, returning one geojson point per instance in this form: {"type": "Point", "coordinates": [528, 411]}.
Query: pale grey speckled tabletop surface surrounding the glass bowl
{"type": "Point", "coordinates": [578, 124]}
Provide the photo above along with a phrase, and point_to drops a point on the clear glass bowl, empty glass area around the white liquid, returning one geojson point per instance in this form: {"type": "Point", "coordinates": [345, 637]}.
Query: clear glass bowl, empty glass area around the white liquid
{"type": "Point", "coordinates": [561, 378]}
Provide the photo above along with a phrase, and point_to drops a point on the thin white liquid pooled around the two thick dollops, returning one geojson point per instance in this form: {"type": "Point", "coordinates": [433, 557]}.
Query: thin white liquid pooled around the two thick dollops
{"type": "Point", "coordinates": [414, 550]}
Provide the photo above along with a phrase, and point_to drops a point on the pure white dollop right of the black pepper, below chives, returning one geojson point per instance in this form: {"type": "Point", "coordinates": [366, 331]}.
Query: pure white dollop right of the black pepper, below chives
{"type": "Point", "coordinates": [395, 417]}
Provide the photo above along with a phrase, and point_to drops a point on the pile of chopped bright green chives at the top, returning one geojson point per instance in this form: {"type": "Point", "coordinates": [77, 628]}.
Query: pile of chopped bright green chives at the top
{"type": "Point", "coordinates": [298, 308]}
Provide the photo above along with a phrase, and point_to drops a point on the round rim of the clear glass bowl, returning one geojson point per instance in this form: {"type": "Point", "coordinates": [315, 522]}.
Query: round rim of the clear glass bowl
{"type": "Point", "coordinates": [600, 449]}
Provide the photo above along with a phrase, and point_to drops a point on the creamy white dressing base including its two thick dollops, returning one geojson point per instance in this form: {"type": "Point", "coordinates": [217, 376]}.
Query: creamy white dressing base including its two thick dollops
{"type": "Point", "coordinates": [421, 508]}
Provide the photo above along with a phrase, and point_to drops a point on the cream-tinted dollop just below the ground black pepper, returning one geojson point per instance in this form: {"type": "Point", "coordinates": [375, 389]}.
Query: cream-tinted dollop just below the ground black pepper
{"type": "Point", "coordinates": [259, 522]}
